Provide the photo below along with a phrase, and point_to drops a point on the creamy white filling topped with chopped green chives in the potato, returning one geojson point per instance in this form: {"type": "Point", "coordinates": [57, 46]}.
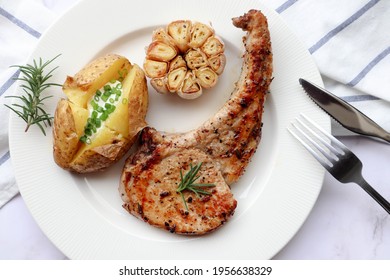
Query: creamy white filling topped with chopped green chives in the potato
{"type": "Point", "coordinates": [100, 106]}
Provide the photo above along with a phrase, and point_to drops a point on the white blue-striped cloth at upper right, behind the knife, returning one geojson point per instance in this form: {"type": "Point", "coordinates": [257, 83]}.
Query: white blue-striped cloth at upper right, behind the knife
{"type": "Point", "coordinates": [350, 43]}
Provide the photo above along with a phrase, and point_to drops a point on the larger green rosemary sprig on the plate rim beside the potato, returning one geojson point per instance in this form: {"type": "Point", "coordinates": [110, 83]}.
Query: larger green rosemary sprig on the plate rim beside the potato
{"type": "Point", "coordinates": [35, 81]}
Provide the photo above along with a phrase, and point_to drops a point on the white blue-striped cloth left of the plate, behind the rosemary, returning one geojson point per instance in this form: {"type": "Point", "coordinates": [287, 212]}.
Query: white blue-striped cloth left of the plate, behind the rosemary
{"type": "Point", "coordinates": [21, 24]}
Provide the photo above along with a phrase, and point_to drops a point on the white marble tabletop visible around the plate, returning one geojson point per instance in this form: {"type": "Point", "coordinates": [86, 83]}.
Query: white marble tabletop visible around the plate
{"type": "Point", "coordinates": [345, 222]}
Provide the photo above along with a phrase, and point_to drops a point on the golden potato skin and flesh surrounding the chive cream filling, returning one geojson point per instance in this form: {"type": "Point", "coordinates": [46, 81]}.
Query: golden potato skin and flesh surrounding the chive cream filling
{"type": "Point", "coordinates": [108, 145]}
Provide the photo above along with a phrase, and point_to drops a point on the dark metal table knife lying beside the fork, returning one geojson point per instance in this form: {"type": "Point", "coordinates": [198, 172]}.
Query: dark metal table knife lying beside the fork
{"type": "Point", "coordinates": [344, 113]}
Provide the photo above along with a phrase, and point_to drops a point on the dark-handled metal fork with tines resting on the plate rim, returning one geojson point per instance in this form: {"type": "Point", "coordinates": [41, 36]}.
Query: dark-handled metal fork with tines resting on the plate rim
{"type": "Point", "coordinates": [344, 165]}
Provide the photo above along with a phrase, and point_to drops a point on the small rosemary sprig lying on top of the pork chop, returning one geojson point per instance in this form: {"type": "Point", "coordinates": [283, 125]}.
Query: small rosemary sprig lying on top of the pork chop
{"type": "Point", "coordinates": [187, 182]}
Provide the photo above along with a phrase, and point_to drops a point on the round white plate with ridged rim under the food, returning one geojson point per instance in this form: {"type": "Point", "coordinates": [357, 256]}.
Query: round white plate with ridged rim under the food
{"type": "Point", "coordinates": [82, 215]}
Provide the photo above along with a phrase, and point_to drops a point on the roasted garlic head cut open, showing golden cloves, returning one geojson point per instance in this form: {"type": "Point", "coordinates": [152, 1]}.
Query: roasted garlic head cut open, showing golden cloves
{"type": "Point", "coordinates": [184, 58]}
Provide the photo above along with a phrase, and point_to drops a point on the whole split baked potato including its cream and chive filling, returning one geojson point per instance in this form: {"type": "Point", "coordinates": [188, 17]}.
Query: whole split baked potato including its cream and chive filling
{"type": "Point", "coordinates": [99, 121]}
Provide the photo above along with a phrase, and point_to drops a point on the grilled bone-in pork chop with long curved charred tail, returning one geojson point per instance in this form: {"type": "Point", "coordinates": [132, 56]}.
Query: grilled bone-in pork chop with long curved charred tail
{"type": "Point", "coordinates": [224, 145]}
